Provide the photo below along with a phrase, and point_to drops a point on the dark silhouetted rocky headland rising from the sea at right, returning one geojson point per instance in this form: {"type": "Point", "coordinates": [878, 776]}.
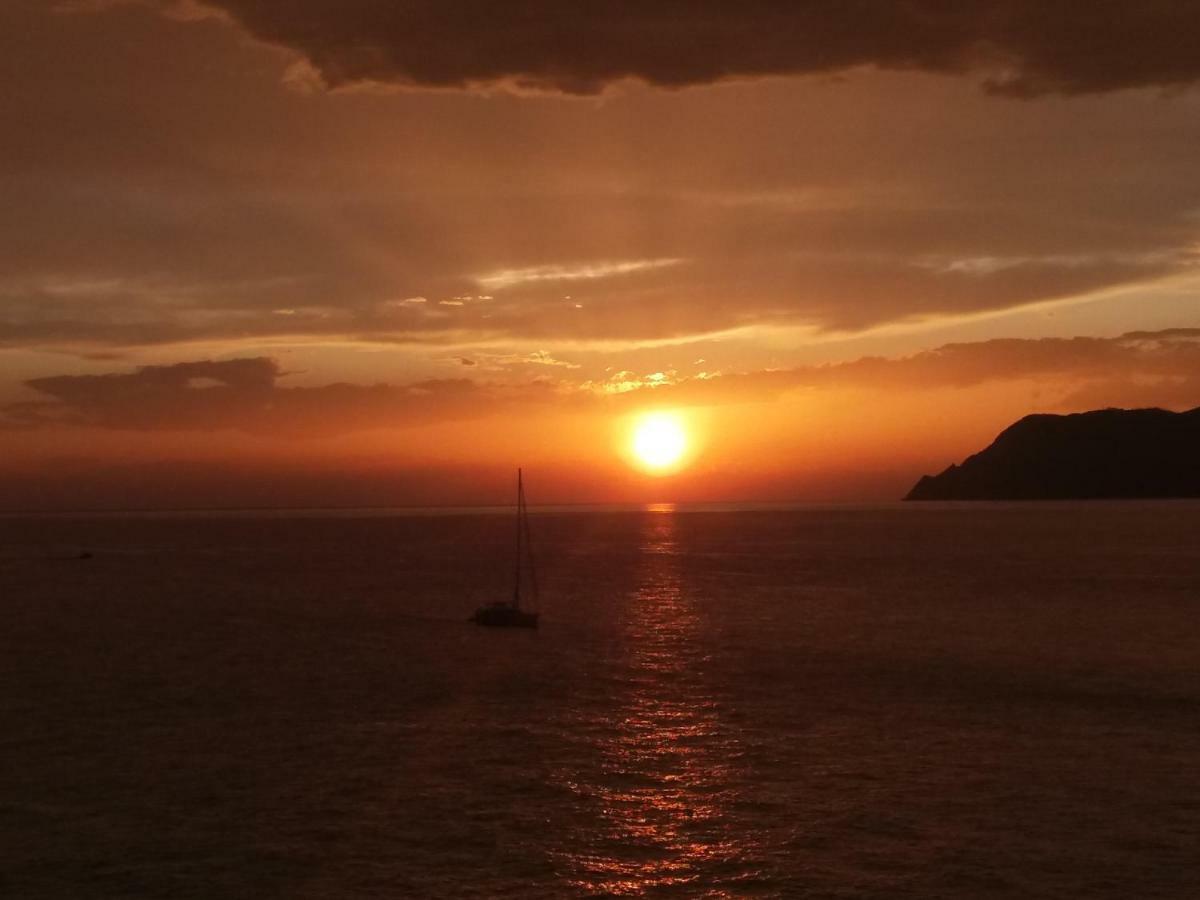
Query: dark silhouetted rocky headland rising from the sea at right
{"type": "Point", "coordinates": [1103, 454]}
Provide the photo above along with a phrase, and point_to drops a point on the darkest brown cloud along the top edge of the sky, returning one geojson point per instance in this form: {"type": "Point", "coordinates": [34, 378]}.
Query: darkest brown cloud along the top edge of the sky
{"type": "Point", "coordinates": [1019, 47]}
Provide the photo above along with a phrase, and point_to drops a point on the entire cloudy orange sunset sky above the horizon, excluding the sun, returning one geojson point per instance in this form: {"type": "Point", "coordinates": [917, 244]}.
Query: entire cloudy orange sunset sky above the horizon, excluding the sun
{"type": "Point", "coordinates": [267, 253]}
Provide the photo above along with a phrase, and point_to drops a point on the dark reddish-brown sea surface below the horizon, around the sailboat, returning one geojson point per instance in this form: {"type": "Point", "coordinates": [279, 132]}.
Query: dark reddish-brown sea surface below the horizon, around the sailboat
{"type": "Point", "coordinates": [907, 701]}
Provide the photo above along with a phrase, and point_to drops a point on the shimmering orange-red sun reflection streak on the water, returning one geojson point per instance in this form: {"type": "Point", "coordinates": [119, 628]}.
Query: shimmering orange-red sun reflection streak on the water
{"type": "Point", "coordinates": [667, 765]}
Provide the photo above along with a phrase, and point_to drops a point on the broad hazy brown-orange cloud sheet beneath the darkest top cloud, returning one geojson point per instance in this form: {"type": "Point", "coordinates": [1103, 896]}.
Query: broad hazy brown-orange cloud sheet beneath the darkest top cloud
{"type": "Point", "coordinates": [278, 217]}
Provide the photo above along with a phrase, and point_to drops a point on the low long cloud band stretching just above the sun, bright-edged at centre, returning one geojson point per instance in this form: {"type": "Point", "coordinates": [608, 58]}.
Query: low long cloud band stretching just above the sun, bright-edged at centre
{"type": "Point", "coordinates": [1138, 369]}
